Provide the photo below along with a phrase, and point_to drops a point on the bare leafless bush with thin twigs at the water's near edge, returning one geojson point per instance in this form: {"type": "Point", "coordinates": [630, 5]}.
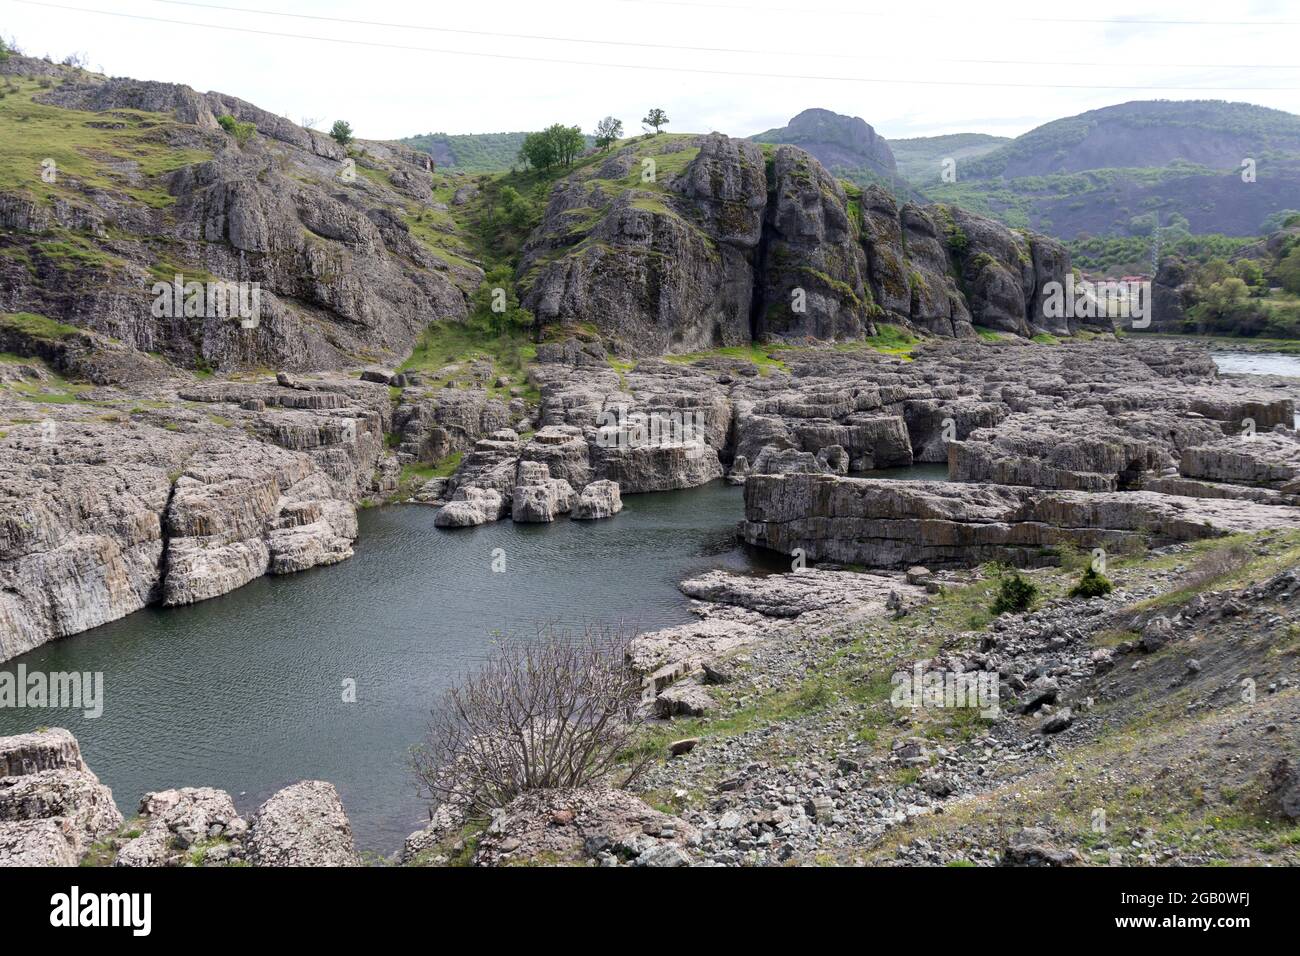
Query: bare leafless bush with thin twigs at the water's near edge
{"type": "Point", "coordinates": [548, 713]}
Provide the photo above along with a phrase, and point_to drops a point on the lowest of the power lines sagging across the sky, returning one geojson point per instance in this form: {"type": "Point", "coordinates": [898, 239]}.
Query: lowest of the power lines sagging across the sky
{"type": "Point", "coordinates": [699, 71]}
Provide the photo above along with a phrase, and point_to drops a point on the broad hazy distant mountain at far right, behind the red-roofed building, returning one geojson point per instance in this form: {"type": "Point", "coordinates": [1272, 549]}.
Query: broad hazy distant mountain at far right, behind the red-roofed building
{"type": "Point", "coordinates": [1123, 170]}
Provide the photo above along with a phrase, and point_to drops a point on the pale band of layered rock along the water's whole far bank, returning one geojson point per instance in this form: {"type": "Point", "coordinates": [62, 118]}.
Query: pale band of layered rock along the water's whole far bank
{"type": "Point", "coordinates": [179, 491]}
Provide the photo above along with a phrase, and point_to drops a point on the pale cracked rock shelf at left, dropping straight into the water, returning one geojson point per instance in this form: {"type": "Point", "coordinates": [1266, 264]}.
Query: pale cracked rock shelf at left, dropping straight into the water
{"type": "Point", "coordinates": [175, 495]}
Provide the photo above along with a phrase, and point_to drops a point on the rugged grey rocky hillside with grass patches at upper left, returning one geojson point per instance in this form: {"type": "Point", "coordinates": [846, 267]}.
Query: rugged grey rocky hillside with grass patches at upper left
{"type": "Point", "coordinates": [324, 232]}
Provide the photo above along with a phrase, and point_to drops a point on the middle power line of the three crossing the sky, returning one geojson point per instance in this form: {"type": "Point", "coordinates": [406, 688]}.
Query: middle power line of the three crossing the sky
{"type": "Point", "coordinates": [644, 45]}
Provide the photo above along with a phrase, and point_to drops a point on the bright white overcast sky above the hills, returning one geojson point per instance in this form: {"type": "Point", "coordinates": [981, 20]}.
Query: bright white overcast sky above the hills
{"type": "Point", "coordinates": [431, 79]}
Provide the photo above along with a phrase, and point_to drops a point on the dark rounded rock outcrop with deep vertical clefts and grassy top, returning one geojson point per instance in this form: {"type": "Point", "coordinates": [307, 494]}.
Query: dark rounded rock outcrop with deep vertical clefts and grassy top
{"type": "Point", "coordinates": [684, 244]}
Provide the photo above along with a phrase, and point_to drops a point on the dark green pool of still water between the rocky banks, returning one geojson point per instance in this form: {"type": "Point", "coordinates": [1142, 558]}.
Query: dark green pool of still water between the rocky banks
{"type": "Point", "coordinates": [245, 693]}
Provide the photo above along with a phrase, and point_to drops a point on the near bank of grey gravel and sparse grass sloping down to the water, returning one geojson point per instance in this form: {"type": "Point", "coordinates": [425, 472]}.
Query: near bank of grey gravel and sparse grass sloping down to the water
{"type": "Point", "coordinates": [1156, 725]}
